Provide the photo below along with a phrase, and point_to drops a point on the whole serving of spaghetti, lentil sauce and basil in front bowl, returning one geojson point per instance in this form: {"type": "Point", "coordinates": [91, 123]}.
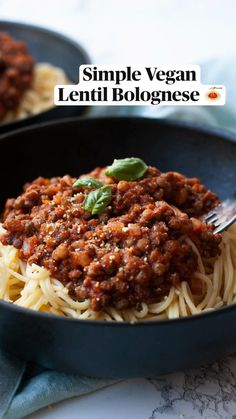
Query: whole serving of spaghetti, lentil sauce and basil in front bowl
{"type": "Point", "coordinates": [125, 242]}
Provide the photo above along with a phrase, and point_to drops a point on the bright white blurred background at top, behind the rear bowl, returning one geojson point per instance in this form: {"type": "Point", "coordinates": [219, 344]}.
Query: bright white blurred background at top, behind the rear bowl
{"type": "Point", "coordinates": [137, 31]}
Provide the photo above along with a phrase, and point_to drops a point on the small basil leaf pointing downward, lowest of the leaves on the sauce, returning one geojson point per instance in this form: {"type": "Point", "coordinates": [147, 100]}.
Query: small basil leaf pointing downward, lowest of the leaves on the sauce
{"type": "Point", "coordinates": [96, 201]}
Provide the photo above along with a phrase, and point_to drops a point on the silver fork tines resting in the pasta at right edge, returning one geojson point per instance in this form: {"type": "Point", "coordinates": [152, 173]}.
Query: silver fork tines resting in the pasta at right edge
{"type": "Point", "coordinates": [223, 216]}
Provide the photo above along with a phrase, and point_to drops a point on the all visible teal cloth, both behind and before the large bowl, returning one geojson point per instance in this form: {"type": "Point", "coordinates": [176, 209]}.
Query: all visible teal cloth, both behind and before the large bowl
{"type": "Point", "coordinates": [27, 388]}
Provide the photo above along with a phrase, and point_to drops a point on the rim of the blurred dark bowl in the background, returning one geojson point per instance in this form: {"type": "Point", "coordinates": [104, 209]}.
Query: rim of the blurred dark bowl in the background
{"type": "Point", "coordinates": [54, 34]}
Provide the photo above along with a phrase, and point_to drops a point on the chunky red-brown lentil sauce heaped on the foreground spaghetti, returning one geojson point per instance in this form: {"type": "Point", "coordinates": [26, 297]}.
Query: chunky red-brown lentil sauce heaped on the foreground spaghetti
{"type": "Point", "coordinates": [132, 252]}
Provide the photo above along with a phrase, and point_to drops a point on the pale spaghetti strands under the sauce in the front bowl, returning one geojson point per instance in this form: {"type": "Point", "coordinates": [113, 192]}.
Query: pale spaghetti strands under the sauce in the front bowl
{"type": "Point", "coordinates": [32, 286]}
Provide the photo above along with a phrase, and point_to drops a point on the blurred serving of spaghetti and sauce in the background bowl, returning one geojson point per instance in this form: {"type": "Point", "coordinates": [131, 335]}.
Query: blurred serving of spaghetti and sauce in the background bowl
{"type": "Point", "coordinates": [26, 87]}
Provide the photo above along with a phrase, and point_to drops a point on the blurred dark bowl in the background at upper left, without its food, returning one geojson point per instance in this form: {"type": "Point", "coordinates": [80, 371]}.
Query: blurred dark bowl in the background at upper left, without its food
{"type": "Point", "coordinates": [48, 47]}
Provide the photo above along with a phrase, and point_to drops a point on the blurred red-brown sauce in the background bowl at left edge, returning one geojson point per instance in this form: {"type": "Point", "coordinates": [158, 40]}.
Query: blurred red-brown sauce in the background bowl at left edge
{"type": "Point", "coordinates": [16, 73]}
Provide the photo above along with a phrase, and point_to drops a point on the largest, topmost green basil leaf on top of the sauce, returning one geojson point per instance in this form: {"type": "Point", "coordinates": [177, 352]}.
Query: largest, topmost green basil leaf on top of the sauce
{"type": "Point", "coordinates": [127, 169]}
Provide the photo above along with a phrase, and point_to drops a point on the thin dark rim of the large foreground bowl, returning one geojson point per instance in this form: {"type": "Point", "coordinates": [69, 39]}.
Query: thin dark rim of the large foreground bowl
{"type": "Point", "coordinates": [189, 126]}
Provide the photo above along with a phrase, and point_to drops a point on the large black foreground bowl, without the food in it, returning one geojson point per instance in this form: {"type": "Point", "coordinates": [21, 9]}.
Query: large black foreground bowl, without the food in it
{"type": "Point", "coordinates": [97, 348]}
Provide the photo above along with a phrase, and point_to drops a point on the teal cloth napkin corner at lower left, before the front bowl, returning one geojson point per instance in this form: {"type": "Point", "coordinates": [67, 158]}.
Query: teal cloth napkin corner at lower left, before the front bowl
{"type": "Point", "coordinates": [27, 388]}
